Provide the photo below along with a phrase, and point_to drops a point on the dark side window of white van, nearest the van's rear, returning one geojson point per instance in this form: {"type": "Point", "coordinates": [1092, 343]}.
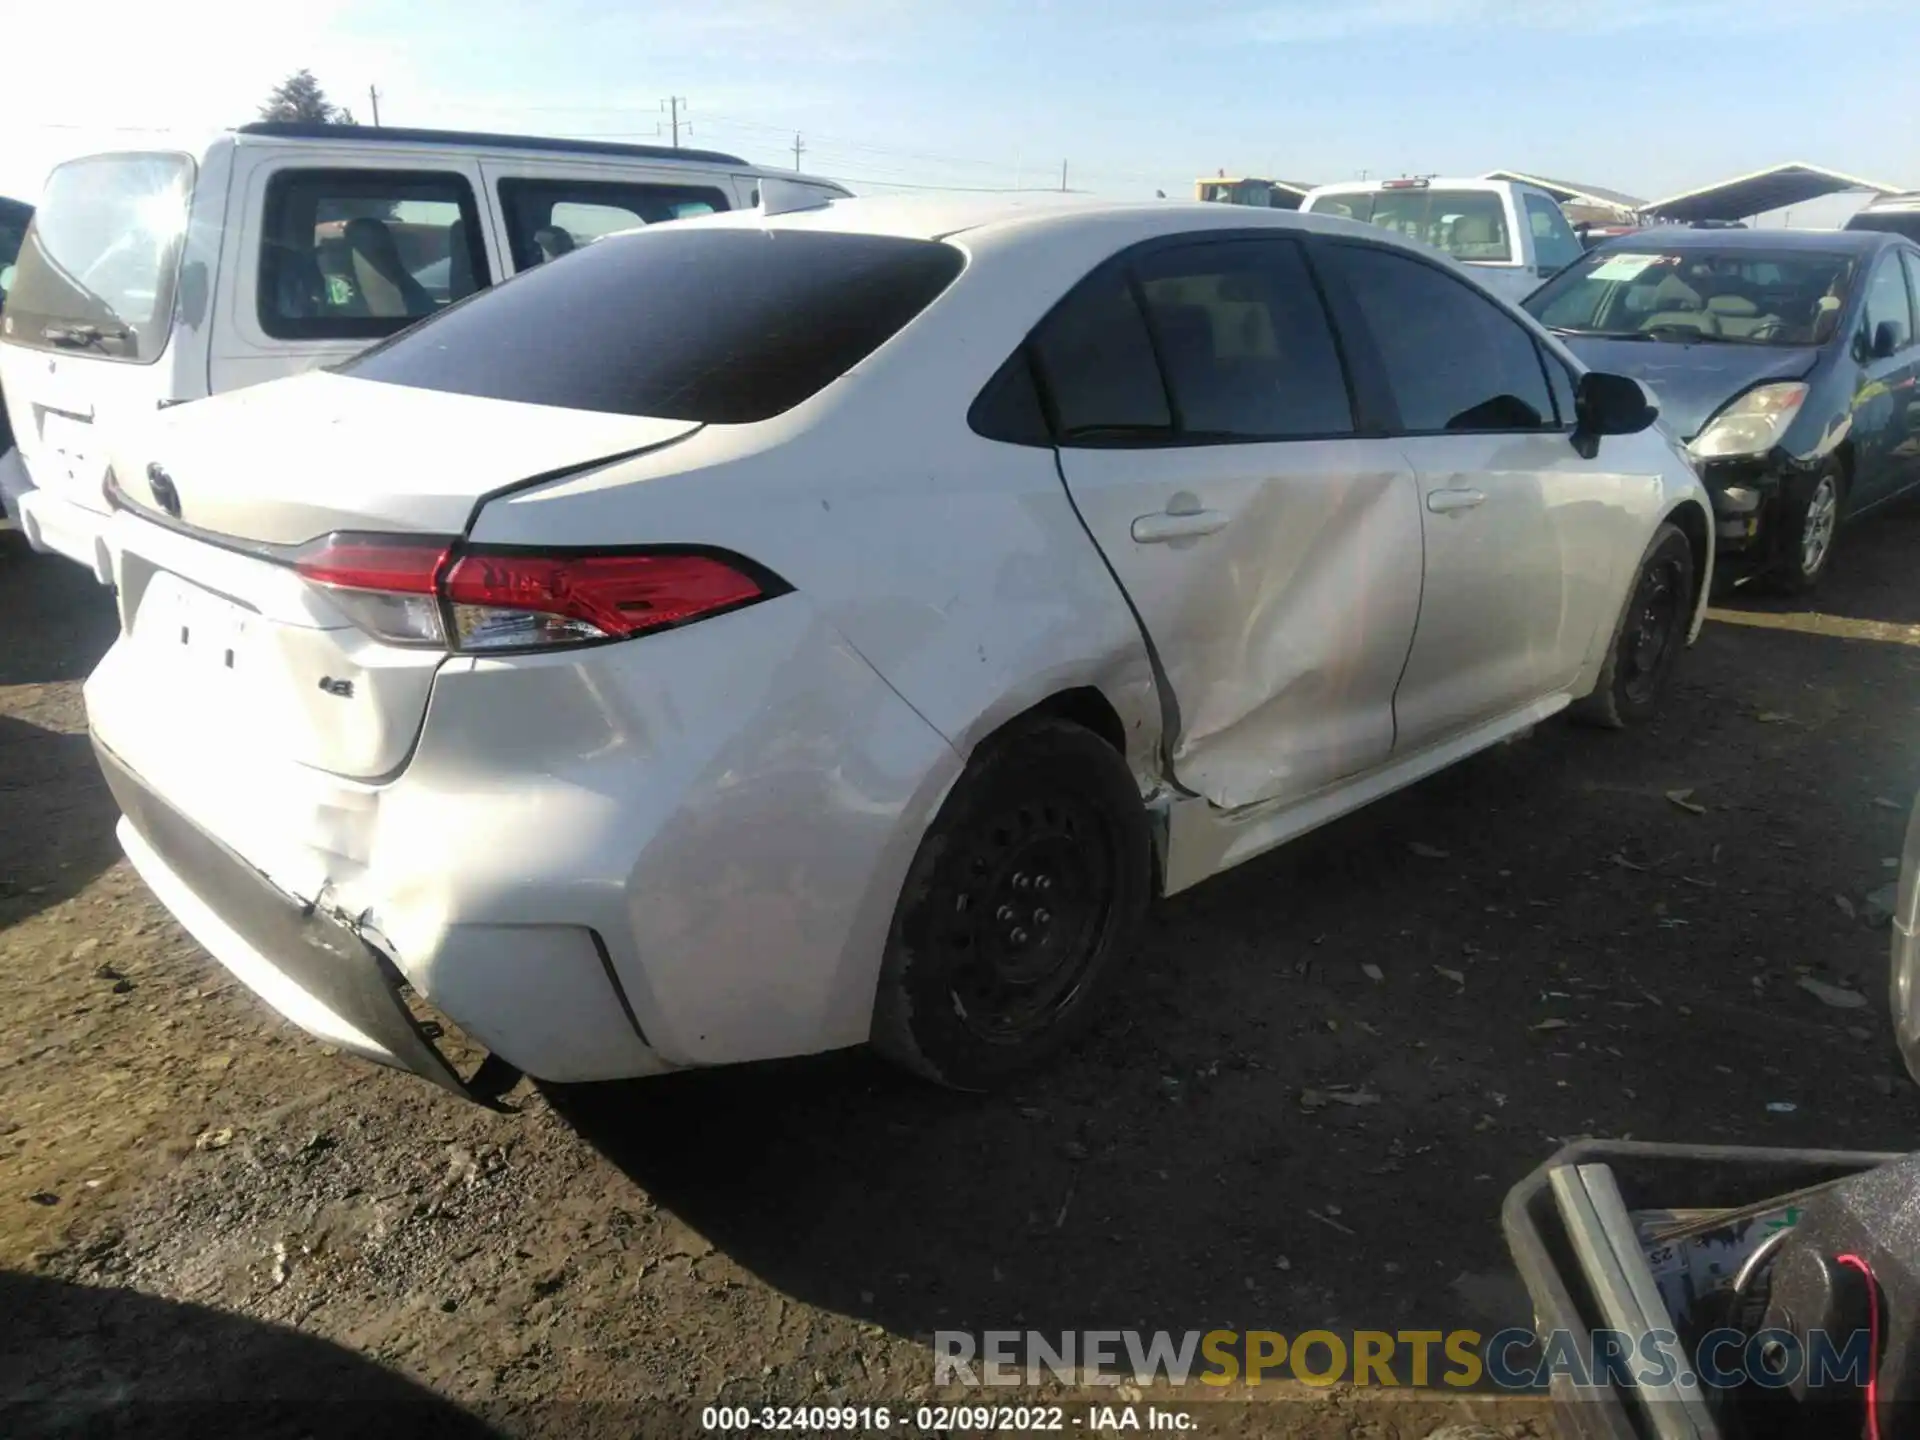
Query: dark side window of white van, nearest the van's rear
{"type": "Point", "coordinates": [364, 254]}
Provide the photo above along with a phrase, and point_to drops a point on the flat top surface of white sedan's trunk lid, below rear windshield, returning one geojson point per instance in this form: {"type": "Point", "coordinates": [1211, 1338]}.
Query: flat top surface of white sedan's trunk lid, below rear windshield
{"type": "Point", "coordinates": [289, 462]}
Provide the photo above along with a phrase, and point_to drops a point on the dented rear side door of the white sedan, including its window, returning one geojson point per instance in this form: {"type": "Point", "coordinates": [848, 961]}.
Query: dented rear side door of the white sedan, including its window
{"type": "Point", "coordinates": [1272, 554]}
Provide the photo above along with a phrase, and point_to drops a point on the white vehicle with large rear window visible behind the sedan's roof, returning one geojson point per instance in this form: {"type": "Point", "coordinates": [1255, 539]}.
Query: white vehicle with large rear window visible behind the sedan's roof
{"type": "Point", "coordinates": [1512, 235]}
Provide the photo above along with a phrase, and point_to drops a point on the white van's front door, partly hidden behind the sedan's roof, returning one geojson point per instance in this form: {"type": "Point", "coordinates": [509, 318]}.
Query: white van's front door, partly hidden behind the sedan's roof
{"type": "Point", "coordinates": [550, 208]}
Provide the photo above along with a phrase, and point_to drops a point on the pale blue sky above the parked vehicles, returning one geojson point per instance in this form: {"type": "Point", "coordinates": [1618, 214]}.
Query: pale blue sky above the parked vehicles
{"type": "Point", "coordinates": [1136, 95]}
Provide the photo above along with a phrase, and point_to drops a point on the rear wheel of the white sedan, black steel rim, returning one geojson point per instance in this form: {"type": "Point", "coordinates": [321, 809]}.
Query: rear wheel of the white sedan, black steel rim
{"type": "Point", "coordinates": [984, 980]}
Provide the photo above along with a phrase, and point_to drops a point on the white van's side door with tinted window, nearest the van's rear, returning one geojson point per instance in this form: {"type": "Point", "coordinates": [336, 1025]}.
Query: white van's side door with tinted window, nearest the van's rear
{"type": "Point", "coordinates": [337, 249]}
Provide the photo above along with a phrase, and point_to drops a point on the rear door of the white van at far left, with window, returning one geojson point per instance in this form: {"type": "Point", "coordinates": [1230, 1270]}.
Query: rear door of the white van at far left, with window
{"type": "Point", "coordinates": [87, 325]}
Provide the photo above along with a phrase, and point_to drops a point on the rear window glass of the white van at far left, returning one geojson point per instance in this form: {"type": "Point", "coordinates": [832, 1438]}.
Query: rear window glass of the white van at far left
{"type": "Point", "coordinates": [97, 270]}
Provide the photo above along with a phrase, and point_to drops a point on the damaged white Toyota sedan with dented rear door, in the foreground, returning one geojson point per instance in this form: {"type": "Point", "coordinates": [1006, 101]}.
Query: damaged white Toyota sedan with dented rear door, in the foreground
{"type": "Point", "coordinates": [794, 631]}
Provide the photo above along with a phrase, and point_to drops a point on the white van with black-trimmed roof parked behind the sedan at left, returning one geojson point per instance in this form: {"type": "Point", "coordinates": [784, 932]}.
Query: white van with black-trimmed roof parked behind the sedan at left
{"type": "Point", "coordinates": [160, 277]}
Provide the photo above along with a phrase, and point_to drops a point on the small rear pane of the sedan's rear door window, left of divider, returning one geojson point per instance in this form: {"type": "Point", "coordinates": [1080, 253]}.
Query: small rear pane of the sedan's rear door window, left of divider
{"type": "Point", "coordinates": [1097, 364]}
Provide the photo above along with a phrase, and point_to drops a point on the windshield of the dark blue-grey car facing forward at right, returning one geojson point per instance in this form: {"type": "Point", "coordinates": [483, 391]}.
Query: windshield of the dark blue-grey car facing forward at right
{"type": "Point", "coordinates": [1727, 297]}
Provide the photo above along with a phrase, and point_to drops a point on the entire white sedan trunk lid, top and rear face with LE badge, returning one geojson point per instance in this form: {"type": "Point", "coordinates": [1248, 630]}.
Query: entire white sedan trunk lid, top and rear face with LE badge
{"type": "Point", "coordinates": [237, 686]}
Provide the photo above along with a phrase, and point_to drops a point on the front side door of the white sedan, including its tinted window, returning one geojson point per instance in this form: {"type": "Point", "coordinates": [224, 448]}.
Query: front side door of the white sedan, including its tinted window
{"type": "Point", "coordinates": [1522, 535]}
